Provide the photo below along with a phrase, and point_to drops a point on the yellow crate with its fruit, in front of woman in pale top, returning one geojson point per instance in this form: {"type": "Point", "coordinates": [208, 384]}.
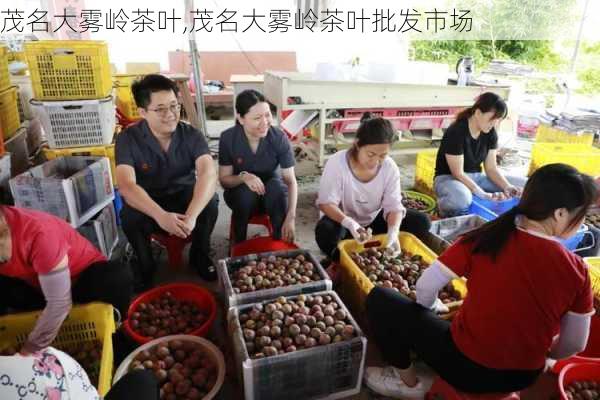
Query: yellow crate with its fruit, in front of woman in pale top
{"type": "Point", "coordinates": [366, 266]}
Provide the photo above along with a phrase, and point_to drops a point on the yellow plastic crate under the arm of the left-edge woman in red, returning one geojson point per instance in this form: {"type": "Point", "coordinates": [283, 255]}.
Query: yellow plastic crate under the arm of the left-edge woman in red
{"type": "Point", "coordinates": [91, 322]}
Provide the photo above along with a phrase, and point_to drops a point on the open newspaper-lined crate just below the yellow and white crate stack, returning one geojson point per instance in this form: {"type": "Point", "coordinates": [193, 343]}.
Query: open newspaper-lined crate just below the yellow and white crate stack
{"type": "Point", "coordinates": [72, 188]}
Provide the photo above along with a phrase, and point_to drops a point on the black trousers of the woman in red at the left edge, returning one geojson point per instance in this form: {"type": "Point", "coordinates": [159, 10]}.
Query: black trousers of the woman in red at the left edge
{"type": "Point", "coordinates": [107, 282]}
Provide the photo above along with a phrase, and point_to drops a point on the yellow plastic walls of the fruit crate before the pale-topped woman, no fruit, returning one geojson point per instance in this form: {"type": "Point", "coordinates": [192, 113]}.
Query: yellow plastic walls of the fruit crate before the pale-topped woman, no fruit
{"type": "Point", "coordinates": [355, 285]}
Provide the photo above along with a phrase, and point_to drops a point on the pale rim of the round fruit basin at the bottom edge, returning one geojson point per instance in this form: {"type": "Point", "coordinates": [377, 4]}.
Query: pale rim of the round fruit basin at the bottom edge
{"type": "Point", "coordinates": [213, 350]}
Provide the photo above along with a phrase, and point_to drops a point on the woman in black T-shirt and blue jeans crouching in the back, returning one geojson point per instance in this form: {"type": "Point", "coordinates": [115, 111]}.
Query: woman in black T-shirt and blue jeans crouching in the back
{"type": "Point", "coordinates": [467, 144]}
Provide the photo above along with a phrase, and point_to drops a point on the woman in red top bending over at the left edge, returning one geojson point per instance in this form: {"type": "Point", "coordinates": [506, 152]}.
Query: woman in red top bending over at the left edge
{"type": "Point", "coordinates": [45, 263]}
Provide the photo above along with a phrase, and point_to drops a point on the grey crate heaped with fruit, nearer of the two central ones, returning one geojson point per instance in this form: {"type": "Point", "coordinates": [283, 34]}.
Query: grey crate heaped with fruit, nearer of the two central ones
{"type": "Point", "coordinates": [306, 346]}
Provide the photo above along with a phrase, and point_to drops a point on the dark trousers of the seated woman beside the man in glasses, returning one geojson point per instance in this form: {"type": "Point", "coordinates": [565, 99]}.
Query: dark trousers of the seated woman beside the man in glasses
{"type": "Point", "coordinates": [244, 203]}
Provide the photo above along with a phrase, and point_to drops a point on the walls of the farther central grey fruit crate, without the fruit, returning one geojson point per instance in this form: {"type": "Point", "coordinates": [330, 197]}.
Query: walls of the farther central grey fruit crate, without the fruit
{"type": "Point", "coordinates": [226, 266]}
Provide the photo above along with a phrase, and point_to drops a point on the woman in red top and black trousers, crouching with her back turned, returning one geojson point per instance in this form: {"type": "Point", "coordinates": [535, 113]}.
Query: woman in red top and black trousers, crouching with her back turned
{"type": "Point", "coordinates": [524, 288]}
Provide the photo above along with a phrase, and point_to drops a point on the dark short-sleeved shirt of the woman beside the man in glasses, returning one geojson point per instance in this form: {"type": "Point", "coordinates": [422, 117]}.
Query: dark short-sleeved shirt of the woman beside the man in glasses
{"type": "Point", "coordinates": [273, 151]}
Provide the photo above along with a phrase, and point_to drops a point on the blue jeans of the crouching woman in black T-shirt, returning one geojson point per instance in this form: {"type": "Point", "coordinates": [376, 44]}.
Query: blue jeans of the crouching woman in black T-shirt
{"type": "Point", "coordinates": [454, 198]}
